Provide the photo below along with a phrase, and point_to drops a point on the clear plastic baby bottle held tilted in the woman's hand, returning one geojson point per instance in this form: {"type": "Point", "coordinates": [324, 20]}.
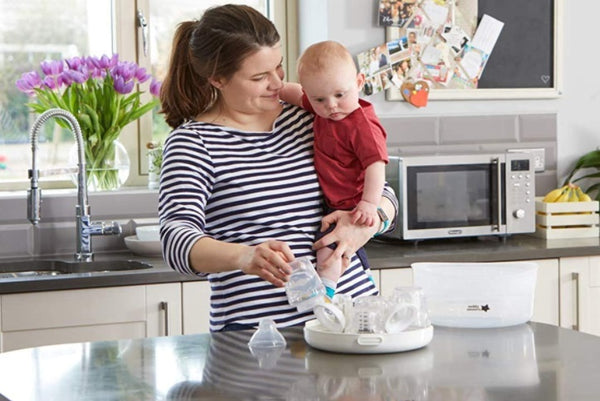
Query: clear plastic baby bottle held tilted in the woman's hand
{"type": "Point", "coordinates": [304, 288]}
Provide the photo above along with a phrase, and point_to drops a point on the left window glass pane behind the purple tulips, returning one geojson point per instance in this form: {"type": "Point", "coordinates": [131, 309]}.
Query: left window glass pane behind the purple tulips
{"type": "Point", "coordinates": [31, 31]}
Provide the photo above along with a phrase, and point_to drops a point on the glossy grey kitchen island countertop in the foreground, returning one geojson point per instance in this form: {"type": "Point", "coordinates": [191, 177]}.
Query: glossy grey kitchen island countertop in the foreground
{"type": "Point", "coordinates": [530, 361]}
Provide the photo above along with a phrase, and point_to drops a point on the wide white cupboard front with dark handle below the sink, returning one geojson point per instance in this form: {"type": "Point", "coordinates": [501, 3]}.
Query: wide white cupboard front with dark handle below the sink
{"type": "Point", "coordinates": [55, 317]}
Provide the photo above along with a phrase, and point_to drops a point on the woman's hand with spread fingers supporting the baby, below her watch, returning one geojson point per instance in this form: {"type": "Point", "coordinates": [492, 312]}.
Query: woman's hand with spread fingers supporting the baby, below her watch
{"type": "Point", "coordinates": [348, 236]}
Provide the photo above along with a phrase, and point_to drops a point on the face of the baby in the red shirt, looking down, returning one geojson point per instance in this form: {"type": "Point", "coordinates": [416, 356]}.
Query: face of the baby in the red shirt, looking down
{"type": "Point", "coordinates": [333, 91]}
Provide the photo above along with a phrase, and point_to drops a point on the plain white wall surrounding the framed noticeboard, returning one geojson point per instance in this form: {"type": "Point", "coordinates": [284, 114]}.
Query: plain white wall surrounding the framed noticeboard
{"type": "Point", "coordinates": [354, 23]}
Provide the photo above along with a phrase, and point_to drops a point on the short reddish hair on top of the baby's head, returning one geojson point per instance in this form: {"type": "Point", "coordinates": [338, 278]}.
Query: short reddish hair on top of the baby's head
{"type": "Point", "coordinates": [322, 55]}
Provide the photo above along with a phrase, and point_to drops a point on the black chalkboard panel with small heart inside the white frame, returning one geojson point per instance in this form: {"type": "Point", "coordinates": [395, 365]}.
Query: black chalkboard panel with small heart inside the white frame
{"type": "Point", "coordinates": [524, 53]}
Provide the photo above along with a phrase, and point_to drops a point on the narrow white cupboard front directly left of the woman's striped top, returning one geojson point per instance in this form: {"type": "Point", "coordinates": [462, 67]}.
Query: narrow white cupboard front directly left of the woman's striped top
{"type": "Point", "coordinates": [196, 306]}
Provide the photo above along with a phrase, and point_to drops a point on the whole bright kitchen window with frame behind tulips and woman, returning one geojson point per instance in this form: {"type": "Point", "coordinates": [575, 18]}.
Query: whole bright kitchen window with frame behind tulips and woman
{"type": "Point", "coordinates": [34, 30]}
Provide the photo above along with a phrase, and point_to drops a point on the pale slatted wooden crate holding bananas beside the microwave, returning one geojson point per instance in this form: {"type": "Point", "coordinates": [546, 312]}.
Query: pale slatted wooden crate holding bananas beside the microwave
{"type": "Point", "coordinates": [566, 219]}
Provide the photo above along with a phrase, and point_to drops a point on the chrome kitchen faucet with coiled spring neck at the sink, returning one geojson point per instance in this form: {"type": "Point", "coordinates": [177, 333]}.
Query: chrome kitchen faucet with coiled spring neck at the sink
{"type": "Point", "coordinates": [85, 228]}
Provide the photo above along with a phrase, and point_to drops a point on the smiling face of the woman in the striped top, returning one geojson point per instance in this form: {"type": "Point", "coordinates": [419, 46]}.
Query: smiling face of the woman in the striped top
{"type": "Point", "coordinates": [254, 88]}
